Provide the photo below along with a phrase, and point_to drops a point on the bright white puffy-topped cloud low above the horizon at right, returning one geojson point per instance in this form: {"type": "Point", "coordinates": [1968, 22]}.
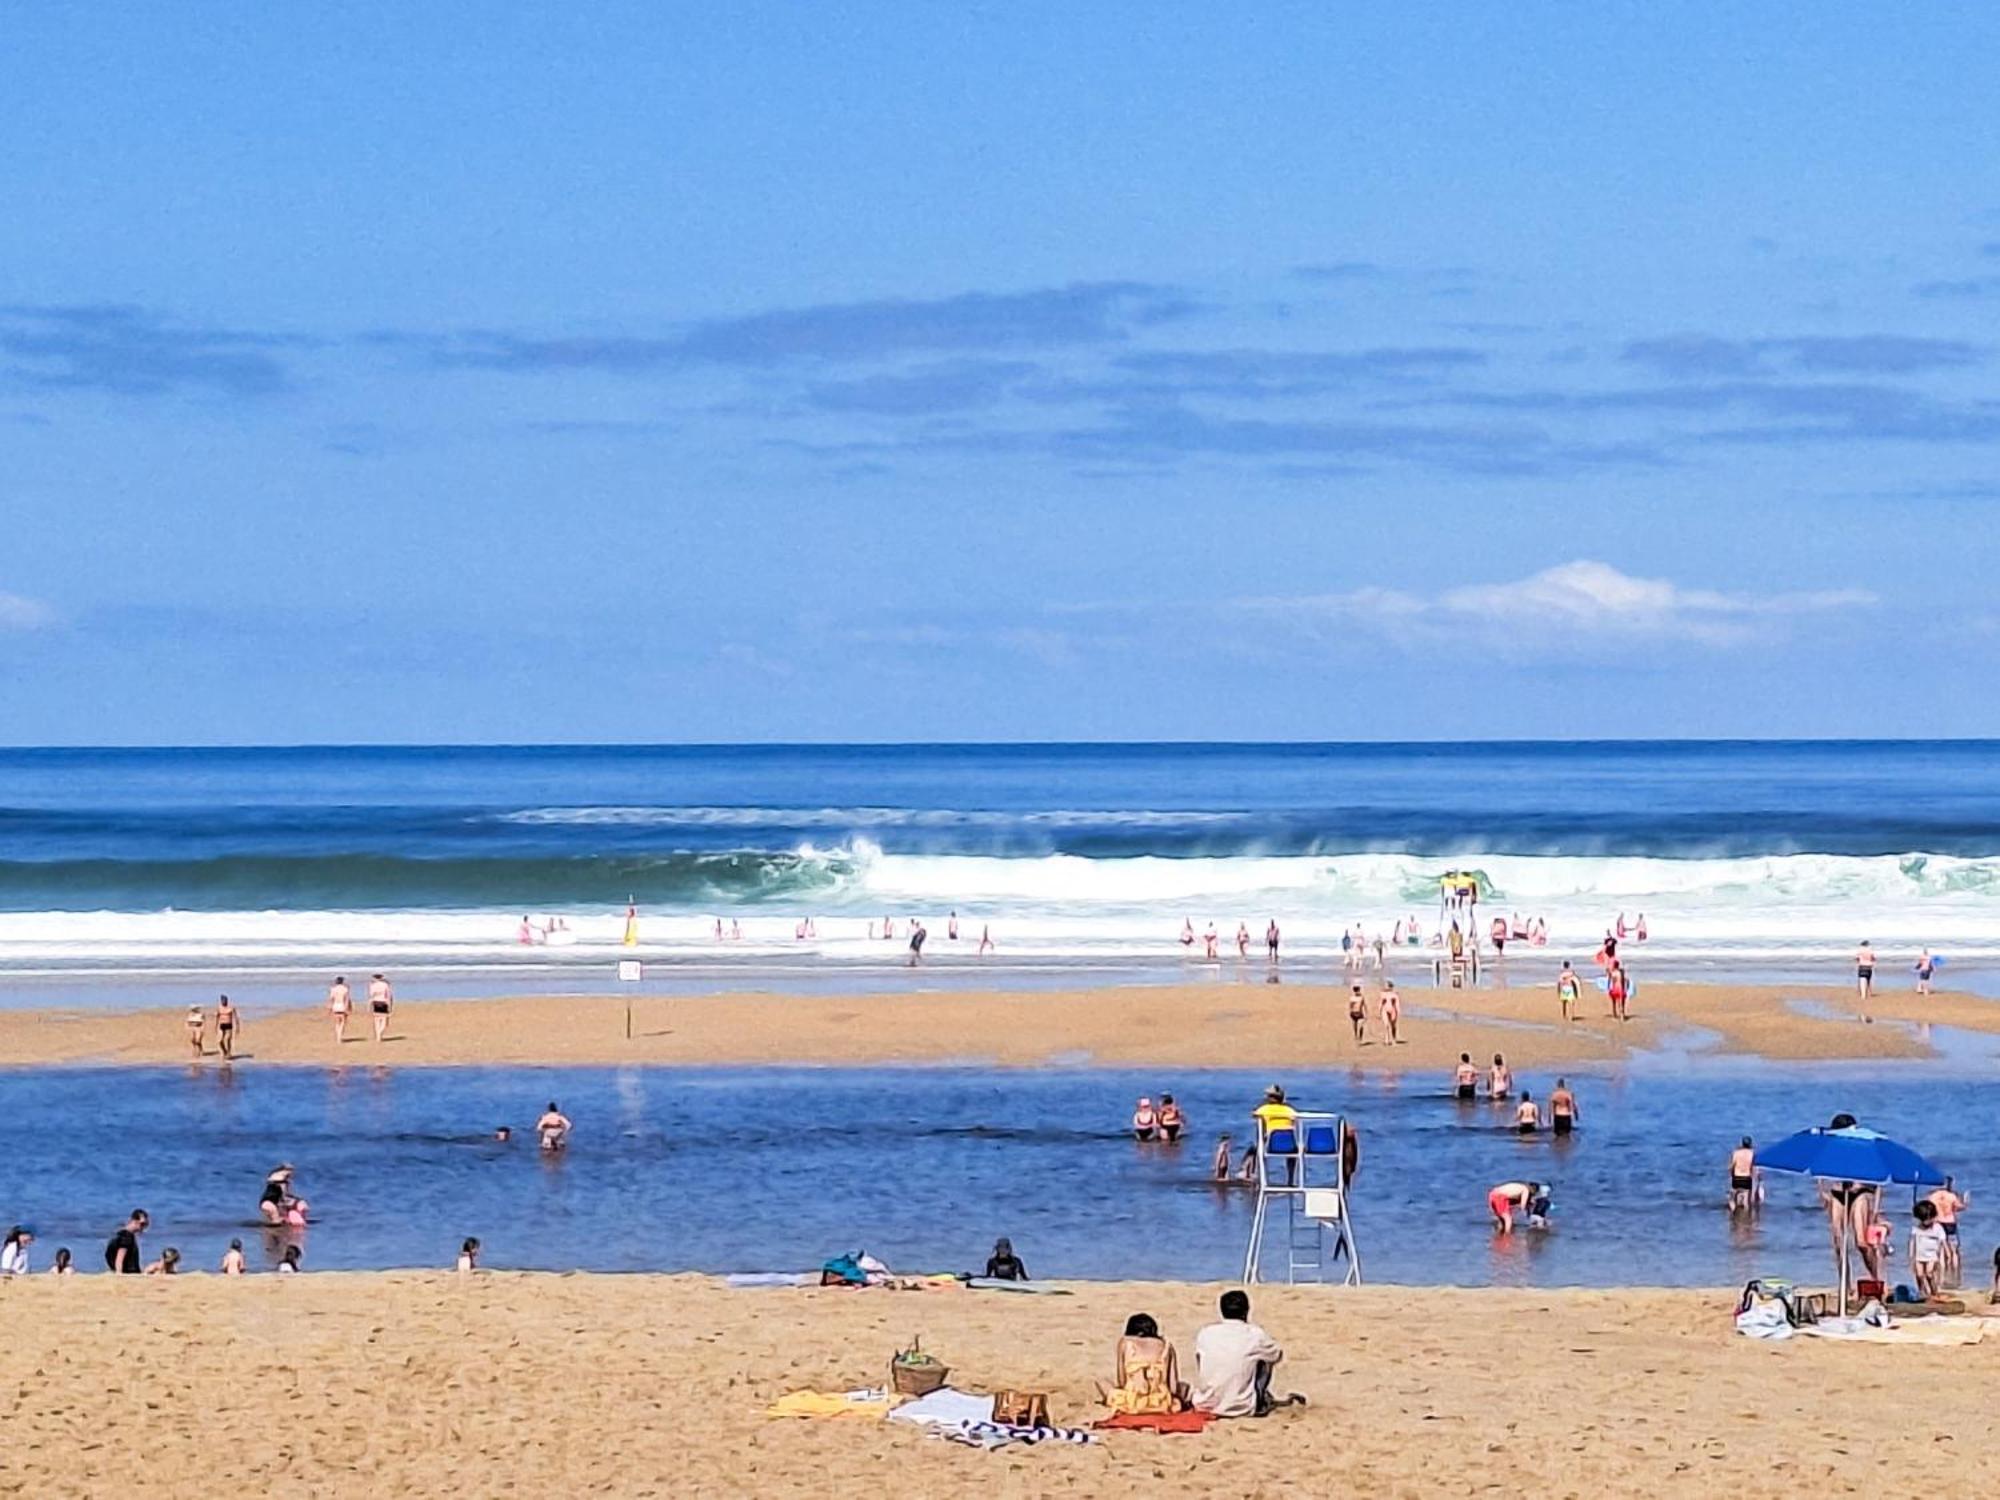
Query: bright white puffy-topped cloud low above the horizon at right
{"type": "Point", "coordinates": [1571, 605]}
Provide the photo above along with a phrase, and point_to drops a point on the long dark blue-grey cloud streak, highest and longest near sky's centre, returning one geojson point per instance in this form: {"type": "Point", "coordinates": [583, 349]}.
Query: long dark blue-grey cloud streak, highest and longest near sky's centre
{"type": "Point", "coordinates": [971, 323]}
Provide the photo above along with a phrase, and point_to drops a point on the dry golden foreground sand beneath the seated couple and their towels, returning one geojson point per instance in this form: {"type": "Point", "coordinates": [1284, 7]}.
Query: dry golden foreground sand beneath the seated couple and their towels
{"type": "Point", "coordinates": [427, 1385]}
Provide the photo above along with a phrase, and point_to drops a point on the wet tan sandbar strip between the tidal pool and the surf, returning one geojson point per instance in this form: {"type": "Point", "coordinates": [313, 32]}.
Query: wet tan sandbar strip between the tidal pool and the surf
{"type": "Point", "coordinates": [1185, 1027]}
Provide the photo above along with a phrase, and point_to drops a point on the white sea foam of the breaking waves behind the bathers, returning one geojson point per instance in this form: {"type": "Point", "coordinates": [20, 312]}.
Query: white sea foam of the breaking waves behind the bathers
{"type": "Point", "coordinates": [1069, 907]}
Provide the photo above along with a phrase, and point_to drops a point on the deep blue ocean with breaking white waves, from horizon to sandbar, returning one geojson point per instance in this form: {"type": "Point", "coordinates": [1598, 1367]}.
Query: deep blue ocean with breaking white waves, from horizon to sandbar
{"type": "Point", "coordinates": [273, 867]}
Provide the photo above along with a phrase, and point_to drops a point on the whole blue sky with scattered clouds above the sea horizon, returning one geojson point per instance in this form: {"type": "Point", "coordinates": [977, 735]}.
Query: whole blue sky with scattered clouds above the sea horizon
{"type": "Point", "coordinates": [1123, 371]}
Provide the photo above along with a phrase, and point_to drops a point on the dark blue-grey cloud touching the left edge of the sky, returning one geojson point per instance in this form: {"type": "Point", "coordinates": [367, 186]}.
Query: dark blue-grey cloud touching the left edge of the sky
{"type": "Point", "coordinates": [135, 353]}
